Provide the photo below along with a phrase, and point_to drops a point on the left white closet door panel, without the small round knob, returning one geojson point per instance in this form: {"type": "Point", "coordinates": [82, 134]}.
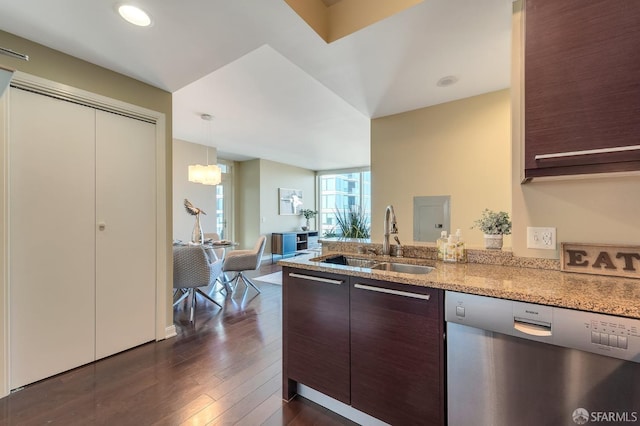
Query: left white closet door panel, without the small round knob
{"type": "Point", "coordinates": [51, 236]}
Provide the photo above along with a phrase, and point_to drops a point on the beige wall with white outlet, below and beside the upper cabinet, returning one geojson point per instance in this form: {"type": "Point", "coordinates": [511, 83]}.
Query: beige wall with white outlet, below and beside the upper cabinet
{"type": "Point", "coordinates": [596, 209]}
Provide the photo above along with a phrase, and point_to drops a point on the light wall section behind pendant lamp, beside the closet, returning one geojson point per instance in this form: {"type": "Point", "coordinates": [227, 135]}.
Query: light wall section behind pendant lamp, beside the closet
{"type": "Point", "coordinates": [202, 196]}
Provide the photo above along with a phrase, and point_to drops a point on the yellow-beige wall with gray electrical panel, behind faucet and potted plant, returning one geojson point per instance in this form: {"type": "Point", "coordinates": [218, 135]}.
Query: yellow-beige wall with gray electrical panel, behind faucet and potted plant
{"type": "Point", "coordinates": [459, 148]}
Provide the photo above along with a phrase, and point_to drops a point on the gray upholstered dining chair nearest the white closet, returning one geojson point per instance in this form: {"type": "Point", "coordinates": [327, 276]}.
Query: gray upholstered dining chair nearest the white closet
{"type": "Point", "coordinates": [194, 267]}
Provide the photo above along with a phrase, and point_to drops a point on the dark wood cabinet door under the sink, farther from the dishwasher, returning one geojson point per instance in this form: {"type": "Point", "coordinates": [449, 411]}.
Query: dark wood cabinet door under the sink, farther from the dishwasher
{"type": "Point", "coordinates": [316, 333]}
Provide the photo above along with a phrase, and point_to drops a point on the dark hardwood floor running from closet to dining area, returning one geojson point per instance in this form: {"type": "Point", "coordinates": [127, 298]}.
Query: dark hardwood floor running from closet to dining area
{"type": "Point", "coordinates": [223, 370]}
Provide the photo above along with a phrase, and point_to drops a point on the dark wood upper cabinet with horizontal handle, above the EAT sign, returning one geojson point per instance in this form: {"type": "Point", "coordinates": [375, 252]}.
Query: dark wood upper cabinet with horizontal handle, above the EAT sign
{"type": "Point", "coordinates": [582, 87]}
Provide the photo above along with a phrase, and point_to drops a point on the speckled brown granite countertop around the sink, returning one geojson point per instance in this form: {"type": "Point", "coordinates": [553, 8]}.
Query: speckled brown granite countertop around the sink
{"type": "Point", "coordinates": [593, 293]}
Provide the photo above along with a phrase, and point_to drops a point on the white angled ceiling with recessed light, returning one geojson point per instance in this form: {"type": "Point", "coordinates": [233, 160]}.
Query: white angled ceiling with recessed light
{"type": "Point", "coordinates": [275, 89]}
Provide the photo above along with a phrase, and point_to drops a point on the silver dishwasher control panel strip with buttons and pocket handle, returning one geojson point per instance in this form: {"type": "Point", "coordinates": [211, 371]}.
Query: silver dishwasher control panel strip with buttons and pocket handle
{"type": "Point", "coordinates": [607, 335]}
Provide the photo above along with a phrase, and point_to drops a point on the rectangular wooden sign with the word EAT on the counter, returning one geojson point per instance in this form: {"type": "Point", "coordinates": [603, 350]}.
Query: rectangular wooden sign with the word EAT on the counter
{"type": "Point", "coordinates": [602, 259]}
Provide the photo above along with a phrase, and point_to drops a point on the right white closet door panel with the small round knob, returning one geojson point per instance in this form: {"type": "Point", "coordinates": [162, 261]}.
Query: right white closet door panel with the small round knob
{"type": "Point", "coordinates": [126, 247]}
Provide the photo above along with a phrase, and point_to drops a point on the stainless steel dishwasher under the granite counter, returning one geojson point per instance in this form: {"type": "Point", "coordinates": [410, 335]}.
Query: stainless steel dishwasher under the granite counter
{"type": "Point", "coordinates": [512, 363]}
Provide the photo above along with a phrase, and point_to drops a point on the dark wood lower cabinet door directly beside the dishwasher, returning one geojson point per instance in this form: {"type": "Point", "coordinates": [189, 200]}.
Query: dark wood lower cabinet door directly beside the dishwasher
{"type": "Point", "coordinates": [397, 355]}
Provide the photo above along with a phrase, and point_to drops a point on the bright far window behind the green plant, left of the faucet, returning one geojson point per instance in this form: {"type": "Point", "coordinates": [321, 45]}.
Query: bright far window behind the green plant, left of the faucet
{"type": "Point", "coordinates": [346, 190]}
